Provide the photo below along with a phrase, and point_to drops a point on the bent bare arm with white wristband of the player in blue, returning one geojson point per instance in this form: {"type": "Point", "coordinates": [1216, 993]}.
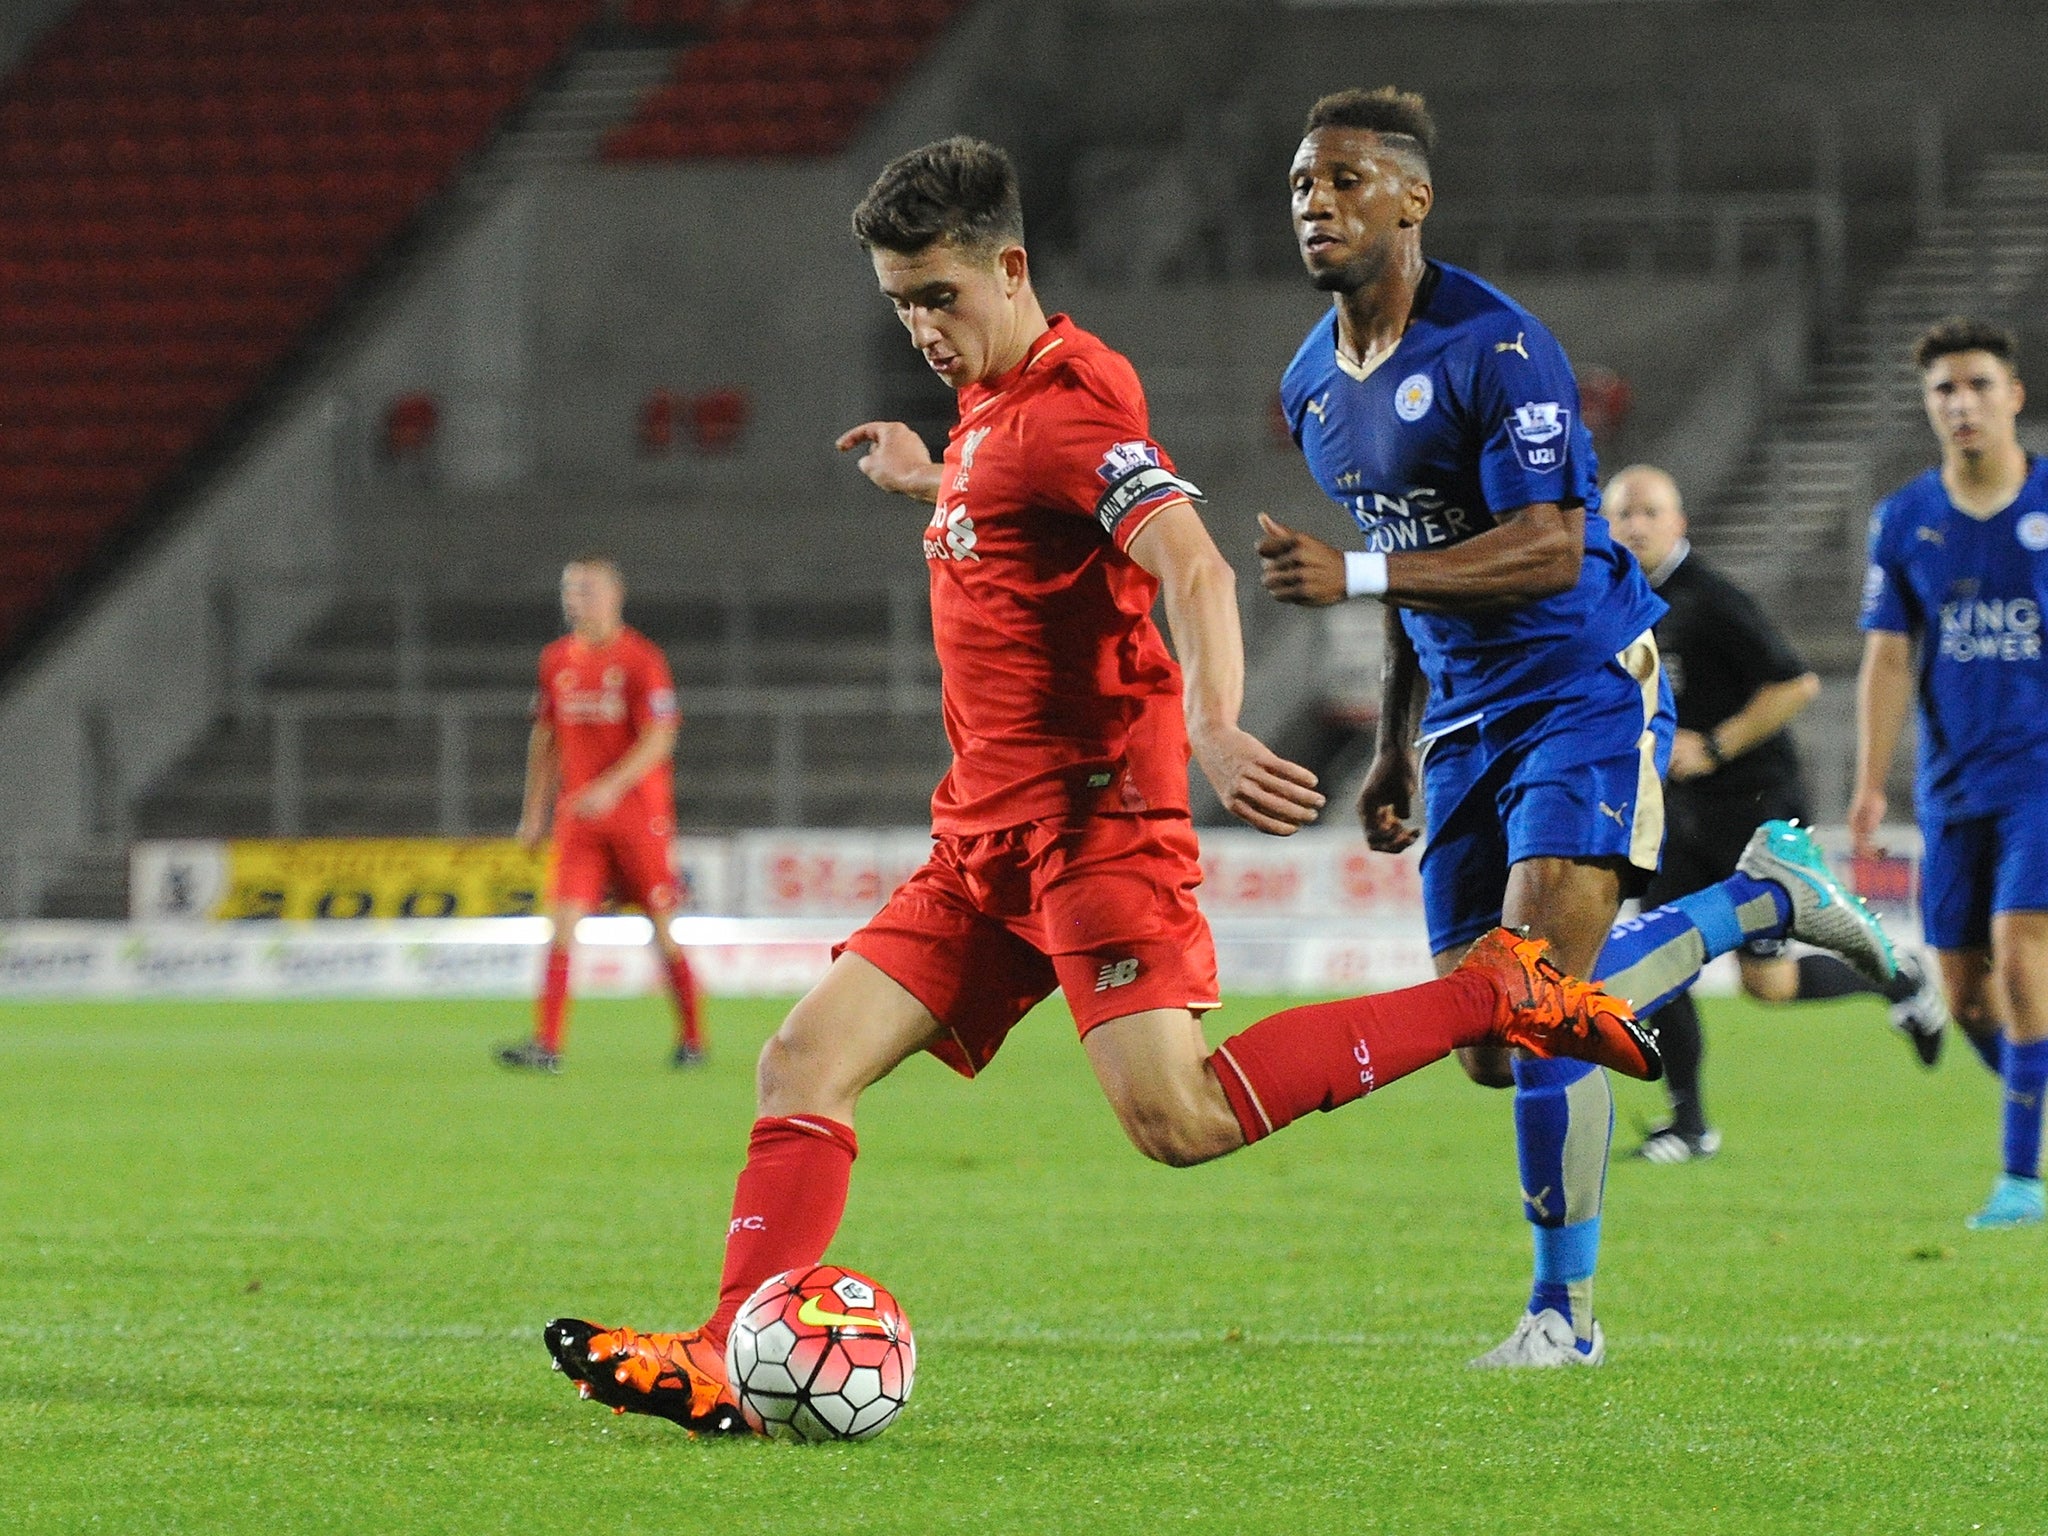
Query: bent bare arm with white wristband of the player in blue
{"type": "Point", "coordinates": [1533, 554]}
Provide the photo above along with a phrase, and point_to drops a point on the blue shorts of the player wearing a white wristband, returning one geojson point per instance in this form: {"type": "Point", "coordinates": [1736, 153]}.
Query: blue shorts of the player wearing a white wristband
{"type": "Point", "coordinates": [1576, 773]}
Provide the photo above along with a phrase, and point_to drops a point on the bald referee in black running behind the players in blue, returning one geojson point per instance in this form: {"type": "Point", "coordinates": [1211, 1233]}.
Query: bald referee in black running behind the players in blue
{"type": "Point", "coordinates": [1738, 685]}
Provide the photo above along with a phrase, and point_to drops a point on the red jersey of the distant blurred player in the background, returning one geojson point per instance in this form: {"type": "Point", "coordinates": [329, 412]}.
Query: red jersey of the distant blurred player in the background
{"type": "Point", "coordinates": [599, 699]}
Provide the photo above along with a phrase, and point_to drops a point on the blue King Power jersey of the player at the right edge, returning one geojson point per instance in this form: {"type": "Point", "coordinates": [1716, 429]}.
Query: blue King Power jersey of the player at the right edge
{"type": "Point", "coordinates": [1971, 593]}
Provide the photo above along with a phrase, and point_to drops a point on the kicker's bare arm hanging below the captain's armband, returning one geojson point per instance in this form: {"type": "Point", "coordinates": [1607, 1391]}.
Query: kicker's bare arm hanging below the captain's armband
{"type": "Point", "coordinates": [1256, 785]}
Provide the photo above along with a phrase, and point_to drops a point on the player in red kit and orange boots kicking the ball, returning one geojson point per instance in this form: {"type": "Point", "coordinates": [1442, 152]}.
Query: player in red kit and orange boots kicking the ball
{"type": "Point", "coordinates": [1064, 855]}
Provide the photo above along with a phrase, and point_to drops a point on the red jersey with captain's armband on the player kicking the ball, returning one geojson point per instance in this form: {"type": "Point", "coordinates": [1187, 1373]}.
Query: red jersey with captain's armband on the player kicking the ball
{"type": "Point", "coordinates": [1060, 693]}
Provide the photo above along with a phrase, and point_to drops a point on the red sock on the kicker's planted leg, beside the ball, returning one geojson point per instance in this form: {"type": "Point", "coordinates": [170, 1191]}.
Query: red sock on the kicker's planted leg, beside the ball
{"type": "Point", "coordinates": [787, 1207]}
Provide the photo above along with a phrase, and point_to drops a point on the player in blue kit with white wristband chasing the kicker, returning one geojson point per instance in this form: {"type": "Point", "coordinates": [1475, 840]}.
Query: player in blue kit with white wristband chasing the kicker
{"type": "Point", "coordinates": [1523, 689]}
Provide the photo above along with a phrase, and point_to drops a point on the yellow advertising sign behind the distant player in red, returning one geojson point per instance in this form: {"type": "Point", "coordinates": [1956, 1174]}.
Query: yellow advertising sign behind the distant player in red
{"type": "Point", "coordinates": [380, 878]}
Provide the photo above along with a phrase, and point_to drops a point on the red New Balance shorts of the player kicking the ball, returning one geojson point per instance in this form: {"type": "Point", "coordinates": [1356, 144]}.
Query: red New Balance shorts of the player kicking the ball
{"type": "Point", "coordinates": [994, 923]}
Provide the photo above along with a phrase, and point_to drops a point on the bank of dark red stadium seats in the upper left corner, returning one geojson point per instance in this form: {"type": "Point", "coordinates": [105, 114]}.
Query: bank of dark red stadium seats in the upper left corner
{"type": "Point", "coordinates": [185, 191]}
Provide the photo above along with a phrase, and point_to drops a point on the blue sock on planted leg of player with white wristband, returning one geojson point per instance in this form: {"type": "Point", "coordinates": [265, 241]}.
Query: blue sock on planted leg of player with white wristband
{"type": "Point", "coordinates": [1564, 1129]}
